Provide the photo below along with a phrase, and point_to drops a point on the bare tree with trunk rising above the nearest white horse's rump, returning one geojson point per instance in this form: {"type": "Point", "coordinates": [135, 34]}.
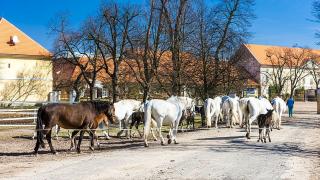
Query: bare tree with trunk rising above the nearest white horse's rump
{"type": "Point", "coordinates": [147, 48]}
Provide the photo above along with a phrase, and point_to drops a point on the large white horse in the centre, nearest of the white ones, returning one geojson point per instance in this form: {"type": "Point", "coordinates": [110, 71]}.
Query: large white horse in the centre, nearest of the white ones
{"type": "Point", "coordinates": [163, 111]}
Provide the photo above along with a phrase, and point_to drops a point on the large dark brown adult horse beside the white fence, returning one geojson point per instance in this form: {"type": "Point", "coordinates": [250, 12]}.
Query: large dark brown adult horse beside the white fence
{"type": "Point", "coordinates": [83, 117]}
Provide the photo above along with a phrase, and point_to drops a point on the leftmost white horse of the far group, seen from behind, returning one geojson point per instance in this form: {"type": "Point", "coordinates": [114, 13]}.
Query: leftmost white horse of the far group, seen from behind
{"type": "Point", "coordinates": [212, 109]}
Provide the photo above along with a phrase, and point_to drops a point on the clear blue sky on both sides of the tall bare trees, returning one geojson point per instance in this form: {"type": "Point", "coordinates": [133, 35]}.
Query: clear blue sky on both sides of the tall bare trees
{"type": "Point", "coordinates": [278, 22]}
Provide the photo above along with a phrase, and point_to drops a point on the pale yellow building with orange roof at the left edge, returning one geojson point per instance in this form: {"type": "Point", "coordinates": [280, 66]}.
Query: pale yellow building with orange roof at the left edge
{"type": "Point", "coordinates": [25, 66]}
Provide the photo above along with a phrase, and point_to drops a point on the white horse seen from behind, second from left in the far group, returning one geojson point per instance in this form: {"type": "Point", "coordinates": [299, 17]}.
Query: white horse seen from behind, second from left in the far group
{"type": "Point", "coordinates": [231, 112]}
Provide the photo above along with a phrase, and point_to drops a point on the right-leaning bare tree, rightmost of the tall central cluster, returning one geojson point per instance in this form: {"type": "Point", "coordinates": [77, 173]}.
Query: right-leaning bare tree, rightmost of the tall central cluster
{"type": "Point", "coordinates": [230, 22]}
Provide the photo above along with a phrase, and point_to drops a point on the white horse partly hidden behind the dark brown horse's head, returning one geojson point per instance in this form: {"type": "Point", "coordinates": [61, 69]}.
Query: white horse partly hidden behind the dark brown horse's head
{"type": "Point", "coordinates": [123, 112]}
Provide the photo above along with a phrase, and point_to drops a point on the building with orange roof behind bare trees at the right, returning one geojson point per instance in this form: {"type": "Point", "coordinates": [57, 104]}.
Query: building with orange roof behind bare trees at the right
{"type": "Point", "coordinates": [258, 61]}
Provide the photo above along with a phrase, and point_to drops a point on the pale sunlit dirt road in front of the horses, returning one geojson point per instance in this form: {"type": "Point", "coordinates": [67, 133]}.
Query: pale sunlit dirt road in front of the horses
{"type": "Point", "coordinates": [205, 154]}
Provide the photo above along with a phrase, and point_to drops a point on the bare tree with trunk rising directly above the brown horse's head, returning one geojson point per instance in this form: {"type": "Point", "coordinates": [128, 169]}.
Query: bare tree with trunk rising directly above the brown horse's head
{"type": "Point", "coordinates": [110, 32]}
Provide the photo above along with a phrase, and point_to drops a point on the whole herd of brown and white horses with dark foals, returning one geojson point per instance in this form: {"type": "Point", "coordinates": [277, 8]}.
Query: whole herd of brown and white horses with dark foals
{"type": "Point", "coordinates": [87, 116]}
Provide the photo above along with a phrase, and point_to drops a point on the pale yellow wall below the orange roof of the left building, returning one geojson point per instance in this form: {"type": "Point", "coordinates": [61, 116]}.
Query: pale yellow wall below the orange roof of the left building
{"type": "Point", "coordinates": [40, 69]}
